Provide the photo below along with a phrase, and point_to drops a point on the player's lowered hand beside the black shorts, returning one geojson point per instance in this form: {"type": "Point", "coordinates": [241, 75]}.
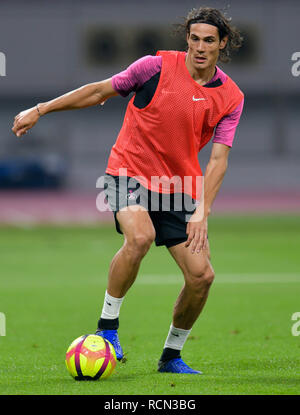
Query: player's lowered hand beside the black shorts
{"type": "Point", "coordinates": [197, 233]}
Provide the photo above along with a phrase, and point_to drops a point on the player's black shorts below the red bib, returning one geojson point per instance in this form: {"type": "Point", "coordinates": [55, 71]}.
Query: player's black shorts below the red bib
{"type": "Point", "coordinates": [169, 212]}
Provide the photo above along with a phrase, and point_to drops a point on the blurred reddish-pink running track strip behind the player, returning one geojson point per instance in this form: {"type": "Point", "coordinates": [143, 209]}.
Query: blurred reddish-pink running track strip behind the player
{"type": "Point", "coordinates": [80, 208]}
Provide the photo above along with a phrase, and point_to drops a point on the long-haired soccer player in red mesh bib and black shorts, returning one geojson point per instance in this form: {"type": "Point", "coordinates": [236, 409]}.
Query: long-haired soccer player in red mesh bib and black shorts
{"type": "Point", "coordinates": [181, 101]}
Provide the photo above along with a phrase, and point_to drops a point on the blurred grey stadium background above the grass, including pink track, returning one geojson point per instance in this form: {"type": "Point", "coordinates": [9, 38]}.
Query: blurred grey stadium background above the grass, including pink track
{"type": "Point", "coordinates": [53, 47]}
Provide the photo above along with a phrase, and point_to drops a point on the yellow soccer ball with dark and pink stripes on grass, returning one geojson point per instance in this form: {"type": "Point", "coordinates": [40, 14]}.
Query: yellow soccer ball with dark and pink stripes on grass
{"type": "Point", "coordinates": [90, 357]}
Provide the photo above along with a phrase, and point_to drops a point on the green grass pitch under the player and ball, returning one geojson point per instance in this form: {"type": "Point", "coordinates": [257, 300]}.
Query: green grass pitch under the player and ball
{"type": "Point", "coordinates": [52, 288]}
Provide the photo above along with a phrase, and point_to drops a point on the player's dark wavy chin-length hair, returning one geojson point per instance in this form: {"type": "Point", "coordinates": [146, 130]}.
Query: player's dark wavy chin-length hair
{"type": "Point", "coordinates": [216, 18]}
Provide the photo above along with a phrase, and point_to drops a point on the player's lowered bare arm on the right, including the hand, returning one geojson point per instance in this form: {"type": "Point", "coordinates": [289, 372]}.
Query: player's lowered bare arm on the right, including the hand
{"type": "Point", "coordinates": [215, 171]}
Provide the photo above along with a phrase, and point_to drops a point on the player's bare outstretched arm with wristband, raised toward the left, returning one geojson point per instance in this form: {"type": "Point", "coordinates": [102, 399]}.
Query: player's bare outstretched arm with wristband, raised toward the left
{"type": "Point", "coordinates": [85, 96]}
